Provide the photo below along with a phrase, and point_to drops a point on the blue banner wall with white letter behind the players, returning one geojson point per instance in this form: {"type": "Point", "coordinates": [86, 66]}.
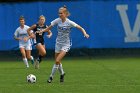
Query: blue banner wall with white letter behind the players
{"type": "Point", "coordinates": [113, 26]}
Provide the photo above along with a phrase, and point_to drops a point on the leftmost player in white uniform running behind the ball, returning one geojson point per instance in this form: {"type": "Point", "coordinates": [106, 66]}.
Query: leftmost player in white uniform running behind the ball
{"type": "Point", "coordinates": [25, 44]}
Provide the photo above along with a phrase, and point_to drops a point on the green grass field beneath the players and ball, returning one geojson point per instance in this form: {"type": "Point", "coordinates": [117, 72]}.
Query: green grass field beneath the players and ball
{"type": "Point", "coordinates": [105, 75]}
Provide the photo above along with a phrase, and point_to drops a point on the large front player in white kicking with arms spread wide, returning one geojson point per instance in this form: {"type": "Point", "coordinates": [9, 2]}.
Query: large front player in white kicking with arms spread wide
{"type": "Point", "coordinates": [63, 42]}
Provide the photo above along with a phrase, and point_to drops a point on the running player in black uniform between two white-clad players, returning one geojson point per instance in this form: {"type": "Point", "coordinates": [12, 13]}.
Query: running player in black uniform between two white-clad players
{"type": "Point", "coordinates": [39, 38]}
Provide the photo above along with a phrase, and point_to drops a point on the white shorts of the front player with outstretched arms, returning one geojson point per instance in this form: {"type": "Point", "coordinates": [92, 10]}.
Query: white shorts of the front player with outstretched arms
{"type": "Point", "coordinates": [61, 47]}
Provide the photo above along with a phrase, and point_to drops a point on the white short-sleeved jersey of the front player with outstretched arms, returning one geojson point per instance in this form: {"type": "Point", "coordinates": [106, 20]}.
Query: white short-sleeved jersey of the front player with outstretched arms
{"type": "Point", "coordinates": [64, 29]}
